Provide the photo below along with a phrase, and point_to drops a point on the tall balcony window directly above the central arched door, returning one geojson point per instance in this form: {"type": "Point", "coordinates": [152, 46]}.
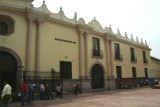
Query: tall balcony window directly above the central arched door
{"type": "Point", "coordinates": [96, 46]}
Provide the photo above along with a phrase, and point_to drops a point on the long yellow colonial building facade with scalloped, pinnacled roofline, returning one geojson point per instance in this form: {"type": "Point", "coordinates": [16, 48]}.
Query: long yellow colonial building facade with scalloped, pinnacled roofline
{"type": "Point", "coordinates": [34, 39]}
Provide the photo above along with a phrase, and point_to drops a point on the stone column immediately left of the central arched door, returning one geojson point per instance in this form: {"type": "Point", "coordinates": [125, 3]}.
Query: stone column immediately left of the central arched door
{"type": "Point", "coordinates": [86, 56]}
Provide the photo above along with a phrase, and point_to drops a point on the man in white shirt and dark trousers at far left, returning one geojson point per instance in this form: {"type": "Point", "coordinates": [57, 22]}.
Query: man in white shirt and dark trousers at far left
{"type": "Point", "coordinates": [6, 93]}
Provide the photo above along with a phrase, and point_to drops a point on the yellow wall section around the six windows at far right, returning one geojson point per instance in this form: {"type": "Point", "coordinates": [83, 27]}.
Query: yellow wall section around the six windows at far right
{"type": "Point", "coordinates": [126, 65]}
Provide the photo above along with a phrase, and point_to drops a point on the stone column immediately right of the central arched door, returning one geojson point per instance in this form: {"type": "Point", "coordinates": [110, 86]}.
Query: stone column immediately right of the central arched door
{"type": "Point", "coordinates": [108, 63]}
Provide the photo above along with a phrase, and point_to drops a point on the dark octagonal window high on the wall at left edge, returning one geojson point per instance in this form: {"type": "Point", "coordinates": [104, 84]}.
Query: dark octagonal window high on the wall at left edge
{"type": "Point", "coordinates": [4, 28]}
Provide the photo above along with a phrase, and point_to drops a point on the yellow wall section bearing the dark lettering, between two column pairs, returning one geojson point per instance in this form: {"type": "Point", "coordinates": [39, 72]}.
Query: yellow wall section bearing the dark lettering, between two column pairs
{"type": "Point", "coordinates": [53, 51]}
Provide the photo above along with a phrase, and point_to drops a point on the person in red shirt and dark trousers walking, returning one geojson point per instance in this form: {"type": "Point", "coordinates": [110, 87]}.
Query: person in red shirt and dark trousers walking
{"type": "Point", "coordinates": [24, 94]}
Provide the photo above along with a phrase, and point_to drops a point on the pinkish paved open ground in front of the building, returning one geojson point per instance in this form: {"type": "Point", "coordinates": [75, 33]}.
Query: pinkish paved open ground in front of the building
{"type": "Point", "coordinates": [137, 97]}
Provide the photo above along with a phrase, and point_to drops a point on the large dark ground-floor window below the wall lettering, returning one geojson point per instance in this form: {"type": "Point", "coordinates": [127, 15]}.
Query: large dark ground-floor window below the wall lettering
{"type": "Point", "coordinates": [66, 70]}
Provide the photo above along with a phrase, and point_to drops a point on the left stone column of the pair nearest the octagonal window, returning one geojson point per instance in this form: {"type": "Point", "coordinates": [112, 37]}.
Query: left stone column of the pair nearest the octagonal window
{"type": "Point", "coordinates": [29, 45]}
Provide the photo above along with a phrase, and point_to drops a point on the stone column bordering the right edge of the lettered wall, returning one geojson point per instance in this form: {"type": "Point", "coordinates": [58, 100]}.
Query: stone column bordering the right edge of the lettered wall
{"type": "Point", "coordinates": [81, 56]}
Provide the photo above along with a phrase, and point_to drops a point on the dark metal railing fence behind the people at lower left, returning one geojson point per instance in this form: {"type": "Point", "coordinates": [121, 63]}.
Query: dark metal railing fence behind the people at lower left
{"type": "Point", "coordinates": [47, 78]}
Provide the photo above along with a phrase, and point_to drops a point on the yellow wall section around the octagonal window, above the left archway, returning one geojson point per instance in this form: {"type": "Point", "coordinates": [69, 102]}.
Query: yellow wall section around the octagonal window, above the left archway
{"type": "Point", "coordinates": [17, 40]}
